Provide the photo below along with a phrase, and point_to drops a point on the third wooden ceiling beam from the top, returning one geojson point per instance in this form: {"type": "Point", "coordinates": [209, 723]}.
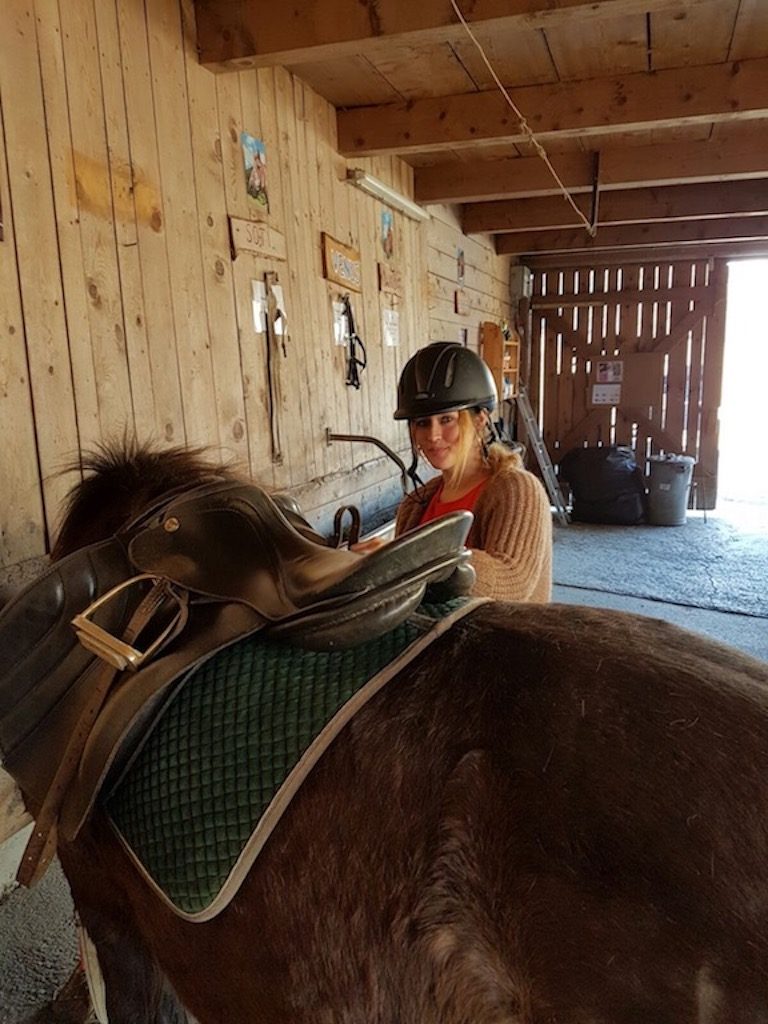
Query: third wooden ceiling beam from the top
{"type": "Point", "coordinates": [629, 167]}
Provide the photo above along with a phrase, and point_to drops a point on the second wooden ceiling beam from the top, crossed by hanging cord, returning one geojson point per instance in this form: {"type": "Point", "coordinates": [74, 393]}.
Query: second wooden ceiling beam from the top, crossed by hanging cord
{"type": "Point", "coordinates": [592, 108]}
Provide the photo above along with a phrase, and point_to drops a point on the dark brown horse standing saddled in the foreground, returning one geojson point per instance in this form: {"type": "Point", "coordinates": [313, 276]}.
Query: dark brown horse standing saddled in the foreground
{"type": "Point", "coordinates": [553, 816]}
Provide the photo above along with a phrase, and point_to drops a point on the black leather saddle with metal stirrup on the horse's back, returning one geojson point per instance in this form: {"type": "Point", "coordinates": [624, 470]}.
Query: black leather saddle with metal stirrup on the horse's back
{"type": "Point", "coordinates": [92, 651]}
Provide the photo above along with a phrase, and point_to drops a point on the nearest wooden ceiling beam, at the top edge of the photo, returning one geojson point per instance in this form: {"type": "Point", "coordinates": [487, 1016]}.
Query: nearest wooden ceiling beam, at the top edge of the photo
{"type": "Point", "coordinates": [238, 34]}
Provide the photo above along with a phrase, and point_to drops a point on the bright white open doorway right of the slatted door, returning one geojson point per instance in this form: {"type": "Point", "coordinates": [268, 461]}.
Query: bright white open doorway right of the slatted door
{"type": "Point", "coordinates": [743, 481]}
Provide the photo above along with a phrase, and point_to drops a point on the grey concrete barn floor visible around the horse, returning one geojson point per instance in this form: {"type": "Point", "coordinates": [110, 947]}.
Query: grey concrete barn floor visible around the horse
{"type": "Point", "coordinates": [710, 576]}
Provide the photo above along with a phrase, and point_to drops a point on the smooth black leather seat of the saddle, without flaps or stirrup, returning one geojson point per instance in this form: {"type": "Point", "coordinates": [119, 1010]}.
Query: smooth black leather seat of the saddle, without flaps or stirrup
{"type": "Point", "coordinates": [234, 543]}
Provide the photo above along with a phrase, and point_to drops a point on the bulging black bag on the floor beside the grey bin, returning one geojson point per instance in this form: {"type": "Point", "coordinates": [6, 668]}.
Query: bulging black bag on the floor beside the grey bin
{"type": "Point", "coordinates": [607, 485]}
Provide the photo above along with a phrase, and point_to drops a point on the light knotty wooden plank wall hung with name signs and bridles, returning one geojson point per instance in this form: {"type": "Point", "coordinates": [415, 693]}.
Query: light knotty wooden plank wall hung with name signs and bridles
{"type": "Point", "coordinates": [122, 310]}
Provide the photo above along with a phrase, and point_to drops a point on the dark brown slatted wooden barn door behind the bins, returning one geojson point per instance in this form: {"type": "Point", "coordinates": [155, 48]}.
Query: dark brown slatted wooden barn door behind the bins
{"type": "Point", "coordinates": [632, 356]}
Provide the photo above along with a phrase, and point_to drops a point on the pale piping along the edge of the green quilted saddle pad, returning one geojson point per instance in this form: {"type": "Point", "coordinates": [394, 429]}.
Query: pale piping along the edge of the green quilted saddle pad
{"type": "Point", "coordinates": [287, 792]}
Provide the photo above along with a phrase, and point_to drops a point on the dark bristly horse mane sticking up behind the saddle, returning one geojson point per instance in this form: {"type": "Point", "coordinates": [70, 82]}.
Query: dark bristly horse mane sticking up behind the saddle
{"type": "Point", "coordinates": [120, 480]}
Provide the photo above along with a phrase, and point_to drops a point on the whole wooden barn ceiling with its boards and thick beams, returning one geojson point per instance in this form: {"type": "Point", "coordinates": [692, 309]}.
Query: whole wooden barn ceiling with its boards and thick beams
{"type": "Point", "coordinates": [658, 109]}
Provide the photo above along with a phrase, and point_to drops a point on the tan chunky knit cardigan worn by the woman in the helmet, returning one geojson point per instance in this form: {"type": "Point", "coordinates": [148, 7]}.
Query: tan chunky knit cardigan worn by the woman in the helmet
{"type": "Point", "coordinates": [511, 536]}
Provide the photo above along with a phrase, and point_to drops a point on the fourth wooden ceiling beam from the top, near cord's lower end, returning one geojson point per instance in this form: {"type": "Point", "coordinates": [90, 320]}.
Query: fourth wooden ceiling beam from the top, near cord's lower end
{"type": "Point", "coordinates": [671, 203]}
